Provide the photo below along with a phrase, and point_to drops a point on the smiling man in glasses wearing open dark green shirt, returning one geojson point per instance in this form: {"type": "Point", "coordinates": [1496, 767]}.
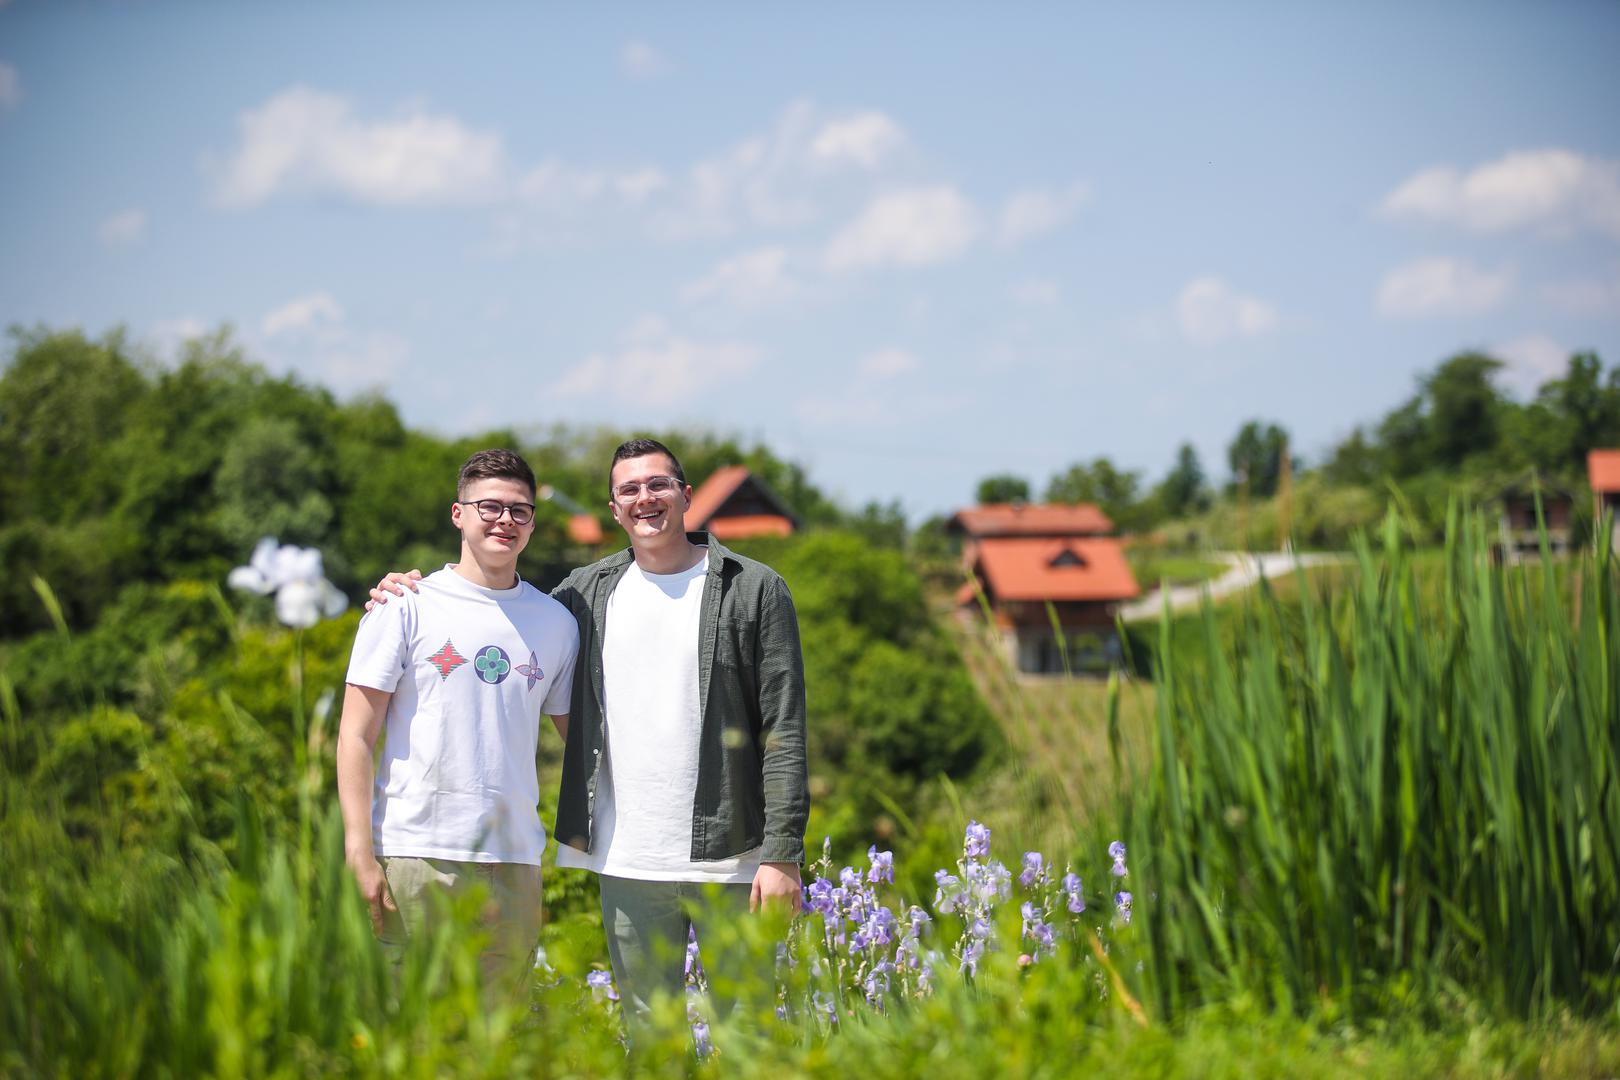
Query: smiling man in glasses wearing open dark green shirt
{"type": "Point", "coordinates": [684, 768]}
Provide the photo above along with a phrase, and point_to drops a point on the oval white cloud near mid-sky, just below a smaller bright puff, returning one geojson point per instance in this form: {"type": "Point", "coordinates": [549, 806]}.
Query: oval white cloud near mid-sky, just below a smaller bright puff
{"type": "Point", "coordinates": [914, 227]}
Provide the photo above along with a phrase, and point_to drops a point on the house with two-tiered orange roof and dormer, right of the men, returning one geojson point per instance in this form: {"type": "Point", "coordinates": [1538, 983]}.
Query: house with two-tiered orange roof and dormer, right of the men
{"type": "Point", "coordinates": [1052, 577]}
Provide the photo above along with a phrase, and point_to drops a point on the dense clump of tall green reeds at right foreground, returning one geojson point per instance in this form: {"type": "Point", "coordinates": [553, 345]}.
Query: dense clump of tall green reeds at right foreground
{"type": "Point", "coordinates": [1405, 788]}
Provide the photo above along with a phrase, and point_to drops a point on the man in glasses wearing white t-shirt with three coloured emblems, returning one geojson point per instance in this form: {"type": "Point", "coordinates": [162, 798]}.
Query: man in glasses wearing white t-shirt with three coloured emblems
{"type": "Point", "coordinates": [458, 674]}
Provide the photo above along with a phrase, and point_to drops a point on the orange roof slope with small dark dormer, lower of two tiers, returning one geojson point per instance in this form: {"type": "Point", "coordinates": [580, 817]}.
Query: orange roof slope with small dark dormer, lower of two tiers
{"type": "Point", "coordinates": [1093, 569]}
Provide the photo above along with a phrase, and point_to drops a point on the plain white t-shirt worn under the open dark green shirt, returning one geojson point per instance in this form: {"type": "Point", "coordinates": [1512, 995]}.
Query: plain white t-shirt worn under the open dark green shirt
{"type": "Point", "coordinates": [650, 770]}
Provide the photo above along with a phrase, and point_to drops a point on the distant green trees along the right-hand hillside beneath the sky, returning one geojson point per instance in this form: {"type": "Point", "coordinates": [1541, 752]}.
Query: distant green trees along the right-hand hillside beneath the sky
{"type": "Point", "coordinates": [1457, 436]}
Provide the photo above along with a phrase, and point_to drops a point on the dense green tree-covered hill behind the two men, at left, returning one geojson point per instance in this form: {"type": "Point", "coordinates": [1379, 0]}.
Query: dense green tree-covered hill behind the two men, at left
{"type": "Point", "coordinates": [121, 469]}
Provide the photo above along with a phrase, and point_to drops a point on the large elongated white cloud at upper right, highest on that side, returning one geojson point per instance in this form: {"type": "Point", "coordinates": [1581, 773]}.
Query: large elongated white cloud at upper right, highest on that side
{"type": "Point", "coordinates": [1551, 189]}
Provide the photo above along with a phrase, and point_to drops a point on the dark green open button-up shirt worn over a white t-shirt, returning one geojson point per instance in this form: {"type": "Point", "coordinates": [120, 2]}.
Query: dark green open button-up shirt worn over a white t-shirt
{"type": "Point", "coordinates": [752, 776]}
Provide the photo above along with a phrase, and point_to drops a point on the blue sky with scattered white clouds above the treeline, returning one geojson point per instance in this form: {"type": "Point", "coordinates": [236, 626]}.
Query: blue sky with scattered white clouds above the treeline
{"type": "Point", "coordinates": [906, 247]}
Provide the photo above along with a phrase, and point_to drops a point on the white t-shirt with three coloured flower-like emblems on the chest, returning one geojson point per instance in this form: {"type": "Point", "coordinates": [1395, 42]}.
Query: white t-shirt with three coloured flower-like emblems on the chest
{"type": "Point", "coordinates": [471, 671]}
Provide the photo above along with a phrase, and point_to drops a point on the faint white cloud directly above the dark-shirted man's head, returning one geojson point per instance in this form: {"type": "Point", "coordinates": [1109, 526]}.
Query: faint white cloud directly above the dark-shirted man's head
{"type": "Point", "coordinates": [657, 367]}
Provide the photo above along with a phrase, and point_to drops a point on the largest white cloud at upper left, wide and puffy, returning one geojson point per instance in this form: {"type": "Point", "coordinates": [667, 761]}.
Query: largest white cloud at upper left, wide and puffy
{"type": "Point", "coordinates": [310, 142]}
